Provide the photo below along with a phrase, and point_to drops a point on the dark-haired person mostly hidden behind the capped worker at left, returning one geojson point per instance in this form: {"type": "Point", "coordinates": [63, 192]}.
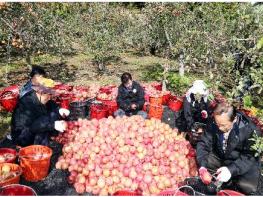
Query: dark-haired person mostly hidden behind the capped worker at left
{"type": "Point", "coordinates": [36, 75]}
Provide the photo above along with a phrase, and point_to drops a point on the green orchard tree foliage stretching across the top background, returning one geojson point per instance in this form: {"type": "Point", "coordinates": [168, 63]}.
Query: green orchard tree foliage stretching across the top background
{"type": "Point", "coordinates": [221, 40]}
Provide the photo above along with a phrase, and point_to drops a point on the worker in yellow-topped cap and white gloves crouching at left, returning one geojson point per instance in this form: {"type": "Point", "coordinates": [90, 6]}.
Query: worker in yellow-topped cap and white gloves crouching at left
{"type": "Point", "coordinates": [36, 117]}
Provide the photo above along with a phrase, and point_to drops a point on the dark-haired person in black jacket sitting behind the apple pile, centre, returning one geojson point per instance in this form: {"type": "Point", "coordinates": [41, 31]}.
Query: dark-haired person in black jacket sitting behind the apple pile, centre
{"type": "Point", "coordinates": [130, 97]}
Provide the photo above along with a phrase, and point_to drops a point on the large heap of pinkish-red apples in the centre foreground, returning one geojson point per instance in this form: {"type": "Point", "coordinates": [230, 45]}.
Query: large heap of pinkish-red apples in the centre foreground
{"type": "Point", "coordinates": [107, 155]}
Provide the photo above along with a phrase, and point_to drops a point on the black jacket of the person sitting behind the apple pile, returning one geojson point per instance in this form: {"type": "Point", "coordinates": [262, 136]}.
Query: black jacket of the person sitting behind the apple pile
{"type": "Point", "coordinates": [127, 97]}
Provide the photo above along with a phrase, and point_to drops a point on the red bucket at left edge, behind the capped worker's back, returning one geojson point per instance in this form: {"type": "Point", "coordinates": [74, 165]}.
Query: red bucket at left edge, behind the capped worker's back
{"type": "Point", "coordinates": [8, 100]}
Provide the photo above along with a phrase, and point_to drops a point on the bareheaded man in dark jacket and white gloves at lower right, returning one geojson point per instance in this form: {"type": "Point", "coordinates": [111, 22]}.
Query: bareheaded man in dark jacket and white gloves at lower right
{"type": "Point", "coordinates": [225, 148]}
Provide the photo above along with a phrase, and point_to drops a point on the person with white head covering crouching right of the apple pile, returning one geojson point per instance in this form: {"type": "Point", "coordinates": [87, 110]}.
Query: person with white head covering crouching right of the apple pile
{"type": "Point", "coordinates": [195, 111]}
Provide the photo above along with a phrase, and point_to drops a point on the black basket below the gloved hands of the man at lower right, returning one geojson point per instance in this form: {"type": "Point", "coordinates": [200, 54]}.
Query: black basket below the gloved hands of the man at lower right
{"type": "Point", "coordinates": [199, 187]}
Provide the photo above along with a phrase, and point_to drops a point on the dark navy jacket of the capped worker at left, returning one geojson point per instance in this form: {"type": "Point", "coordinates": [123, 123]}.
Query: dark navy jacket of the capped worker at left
{"type": "Point", "coordinates": [32, 122]}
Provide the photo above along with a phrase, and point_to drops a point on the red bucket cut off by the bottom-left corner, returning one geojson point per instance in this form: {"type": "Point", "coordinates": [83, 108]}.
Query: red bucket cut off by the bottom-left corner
{"type": "Point", "coordinates": [17, 190]}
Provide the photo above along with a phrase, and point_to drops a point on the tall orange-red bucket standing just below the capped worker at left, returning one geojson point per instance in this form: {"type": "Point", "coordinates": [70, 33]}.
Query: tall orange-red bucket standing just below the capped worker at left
{"type": "Point", "coordinates": [35, 162]}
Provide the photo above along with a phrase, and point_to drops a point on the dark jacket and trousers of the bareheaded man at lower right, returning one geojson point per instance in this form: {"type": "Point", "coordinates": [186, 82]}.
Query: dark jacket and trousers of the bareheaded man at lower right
{"type": "Point", "coordinates": [238, 157]}
